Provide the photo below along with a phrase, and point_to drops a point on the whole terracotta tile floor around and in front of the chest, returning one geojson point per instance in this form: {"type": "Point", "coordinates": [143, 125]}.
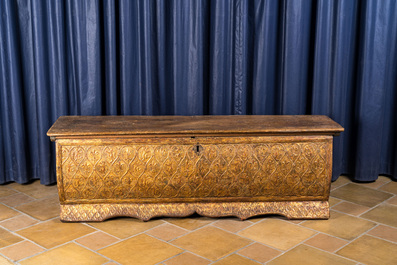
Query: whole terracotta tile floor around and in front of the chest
{"type": "Point", "coordinates": [362, 230]}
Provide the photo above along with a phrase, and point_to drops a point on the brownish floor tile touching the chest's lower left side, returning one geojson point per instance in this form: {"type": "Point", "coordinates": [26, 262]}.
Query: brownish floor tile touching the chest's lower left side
{"type": "Point", "coordinates": [42, 209]}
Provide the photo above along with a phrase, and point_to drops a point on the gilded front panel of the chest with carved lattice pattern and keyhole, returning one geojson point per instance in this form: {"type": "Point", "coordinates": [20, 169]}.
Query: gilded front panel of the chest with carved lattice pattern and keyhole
{"type": "Point", "coordinates": [209, 170]}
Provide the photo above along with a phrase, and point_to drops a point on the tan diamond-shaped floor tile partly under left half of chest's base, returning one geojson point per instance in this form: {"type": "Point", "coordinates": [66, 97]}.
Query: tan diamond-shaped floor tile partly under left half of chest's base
{"type": "Point", "coordinates": [125, 227]}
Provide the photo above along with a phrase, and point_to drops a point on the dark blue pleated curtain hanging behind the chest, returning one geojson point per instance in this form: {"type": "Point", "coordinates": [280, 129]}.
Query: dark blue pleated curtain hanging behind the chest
{"type": "Point", "coordinates": [337, 58]}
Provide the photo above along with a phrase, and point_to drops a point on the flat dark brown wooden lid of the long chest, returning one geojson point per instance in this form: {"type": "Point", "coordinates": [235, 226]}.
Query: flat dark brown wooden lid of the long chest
{"type": "Point", "coordinates": [72, 126]}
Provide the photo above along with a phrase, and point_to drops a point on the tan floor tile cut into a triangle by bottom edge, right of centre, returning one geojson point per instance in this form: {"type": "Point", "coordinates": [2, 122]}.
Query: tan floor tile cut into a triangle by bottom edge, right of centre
{"type": "Point", "coordinates": [306, 255]}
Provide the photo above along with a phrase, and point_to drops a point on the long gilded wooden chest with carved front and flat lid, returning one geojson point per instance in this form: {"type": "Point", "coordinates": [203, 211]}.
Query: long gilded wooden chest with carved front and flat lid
{"type": "Point", "coordinates": [147, 166]}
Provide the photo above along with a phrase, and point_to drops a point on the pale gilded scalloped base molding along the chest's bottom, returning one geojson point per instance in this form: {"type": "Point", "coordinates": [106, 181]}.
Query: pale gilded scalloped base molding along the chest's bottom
{"type": "Point", "coordinates": [242, 210]}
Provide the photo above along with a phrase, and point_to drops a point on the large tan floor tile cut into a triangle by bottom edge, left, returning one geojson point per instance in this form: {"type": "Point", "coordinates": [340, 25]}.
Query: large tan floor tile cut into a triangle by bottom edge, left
{"type": "Point", "coordinates": [66, 255]}
